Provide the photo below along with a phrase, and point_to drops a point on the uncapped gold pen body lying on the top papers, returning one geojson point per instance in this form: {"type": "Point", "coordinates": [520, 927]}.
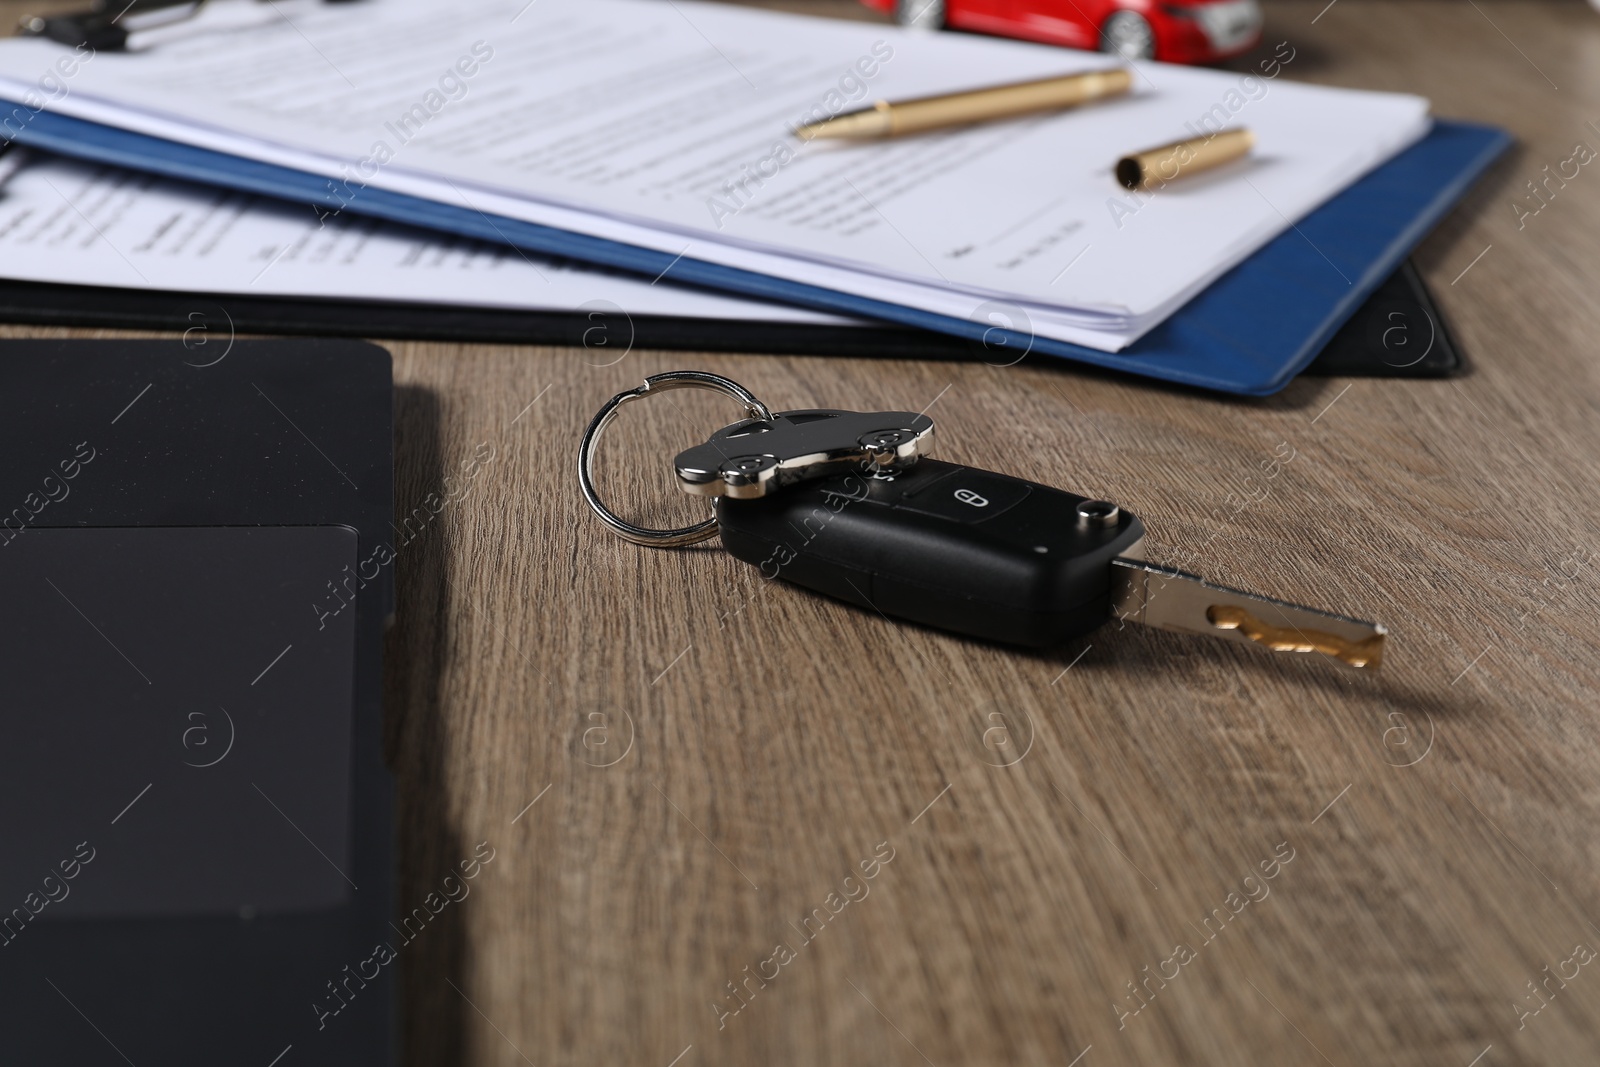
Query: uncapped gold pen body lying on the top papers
{"type": "Point", "coordinates": [956, 110]}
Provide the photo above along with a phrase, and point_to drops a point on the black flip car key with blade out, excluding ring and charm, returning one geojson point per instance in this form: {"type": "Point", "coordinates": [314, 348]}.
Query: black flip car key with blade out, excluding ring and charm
{"type": "Point", "coordinates": [1007, 561]}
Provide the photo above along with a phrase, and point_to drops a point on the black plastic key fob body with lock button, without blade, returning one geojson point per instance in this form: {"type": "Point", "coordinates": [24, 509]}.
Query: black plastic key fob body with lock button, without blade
{"type": "Point", "coordinates": [948, 546]}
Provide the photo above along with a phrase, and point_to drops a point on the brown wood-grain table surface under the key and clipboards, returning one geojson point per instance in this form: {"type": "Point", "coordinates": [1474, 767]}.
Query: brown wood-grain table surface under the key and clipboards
{"type": "Point", "coordinates": [686, 770]}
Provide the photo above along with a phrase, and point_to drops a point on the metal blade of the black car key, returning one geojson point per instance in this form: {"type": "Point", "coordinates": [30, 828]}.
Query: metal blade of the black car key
{"type": "Point", "coordinates": [1175, 601]}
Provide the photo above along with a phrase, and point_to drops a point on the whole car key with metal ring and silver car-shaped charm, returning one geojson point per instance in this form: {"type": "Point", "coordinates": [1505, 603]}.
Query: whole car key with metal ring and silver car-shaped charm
{"type": "Point", "coordinates": [847, 505]}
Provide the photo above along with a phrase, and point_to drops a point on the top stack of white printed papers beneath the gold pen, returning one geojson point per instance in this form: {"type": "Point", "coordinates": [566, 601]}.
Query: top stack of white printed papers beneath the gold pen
{"type": "Point", "coordinates": [668, 126]}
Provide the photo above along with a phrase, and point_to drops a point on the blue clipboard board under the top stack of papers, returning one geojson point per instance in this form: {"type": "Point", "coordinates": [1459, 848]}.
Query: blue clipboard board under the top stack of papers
{"type": "Point", "coordinates": [1314, 276]}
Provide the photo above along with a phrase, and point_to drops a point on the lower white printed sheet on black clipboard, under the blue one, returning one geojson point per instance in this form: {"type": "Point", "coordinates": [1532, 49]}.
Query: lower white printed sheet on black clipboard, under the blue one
{"type": "Point", "coordinates": [78, 223]}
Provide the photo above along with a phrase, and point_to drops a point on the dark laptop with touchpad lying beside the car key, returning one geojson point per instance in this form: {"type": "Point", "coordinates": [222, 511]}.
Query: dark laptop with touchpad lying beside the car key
{"type": "Point", "coordinates": [194, 812]}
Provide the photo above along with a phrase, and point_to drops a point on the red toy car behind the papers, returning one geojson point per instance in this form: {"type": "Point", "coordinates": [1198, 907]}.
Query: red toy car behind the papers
{"type": "Point", "coordinates": [1172, 31]}
